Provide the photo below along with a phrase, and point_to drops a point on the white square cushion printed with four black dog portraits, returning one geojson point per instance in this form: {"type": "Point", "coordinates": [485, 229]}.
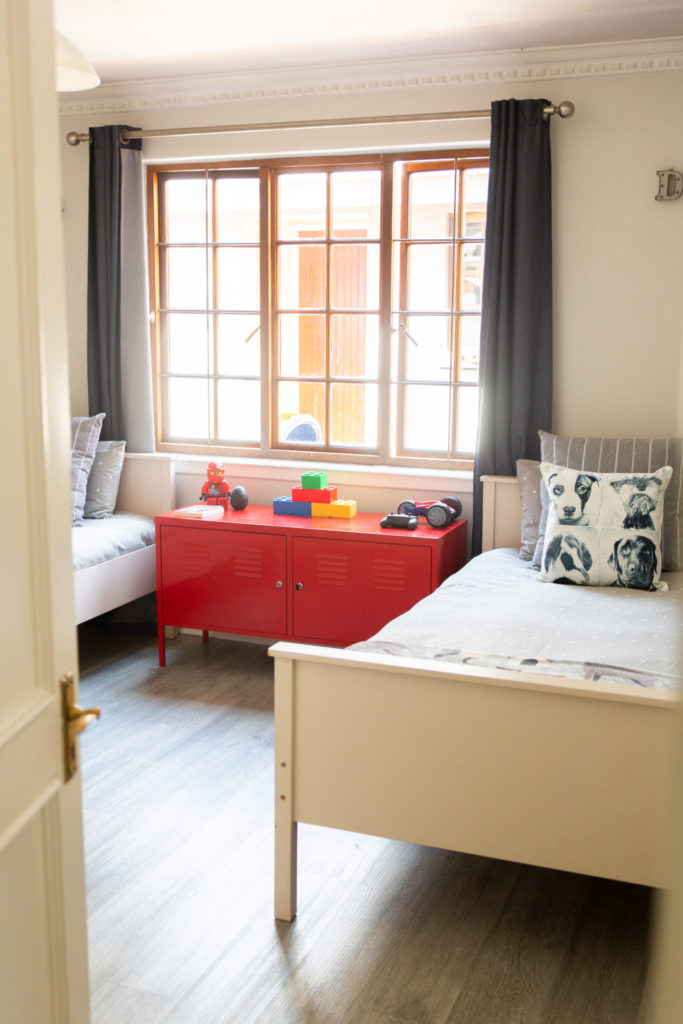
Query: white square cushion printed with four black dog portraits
{"type": "Point", "coordinates": [605, 530]}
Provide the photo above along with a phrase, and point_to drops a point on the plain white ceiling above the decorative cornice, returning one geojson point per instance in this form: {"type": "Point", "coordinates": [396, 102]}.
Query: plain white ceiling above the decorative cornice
{"type": "Point", "coordinates": [153, 39]}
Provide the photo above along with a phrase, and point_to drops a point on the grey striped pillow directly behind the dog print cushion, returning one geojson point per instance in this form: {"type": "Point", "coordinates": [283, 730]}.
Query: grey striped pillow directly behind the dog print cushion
{"type": "Point", "coordinates": [615, 455]}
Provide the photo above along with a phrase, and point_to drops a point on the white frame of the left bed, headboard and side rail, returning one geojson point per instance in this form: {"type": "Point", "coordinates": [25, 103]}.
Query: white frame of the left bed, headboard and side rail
{"type": "Point", "coordinates": [148, 487]}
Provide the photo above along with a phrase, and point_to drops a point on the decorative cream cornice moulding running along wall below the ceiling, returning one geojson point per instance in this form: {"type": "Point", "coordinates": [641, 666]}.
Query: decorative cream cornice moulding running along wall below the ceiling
{"type": "Point", "coordinates": [498, 68]}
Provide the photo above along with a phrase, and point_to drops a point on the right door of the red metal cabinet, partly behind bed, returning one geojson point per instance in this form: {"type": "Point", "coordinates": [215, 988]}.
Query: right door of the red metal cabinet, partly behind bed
{"type": "Point", "coordinates": [349, 590]}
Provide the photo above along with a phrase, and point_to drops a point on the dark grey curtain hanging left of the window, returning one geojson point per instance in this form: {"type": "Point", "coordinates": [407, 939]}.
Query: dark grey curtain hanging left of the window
{"type": "Point", "coordinates": [119, 358]}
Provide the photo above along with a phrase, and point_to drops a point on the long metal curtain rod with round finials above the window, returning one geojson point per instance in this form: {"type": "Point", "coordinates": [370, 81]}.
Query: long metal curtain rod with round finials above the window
{"type": "Point", "coordinates": [565, 110]}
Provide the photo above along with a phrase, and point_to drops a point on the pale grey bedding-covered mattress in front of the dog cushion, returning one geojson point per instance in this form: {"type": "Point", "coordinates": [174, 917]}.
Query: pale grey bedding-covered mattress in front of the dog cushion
{"type": "Point", "coordinates": [497, 614]}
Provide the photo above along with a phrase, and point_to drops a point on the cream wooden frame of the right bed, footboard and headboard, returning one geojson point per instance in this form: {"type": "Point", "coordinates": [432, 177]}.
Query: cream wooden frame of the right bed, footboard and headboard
{"type": "Point", "coordinates": [540, 771]}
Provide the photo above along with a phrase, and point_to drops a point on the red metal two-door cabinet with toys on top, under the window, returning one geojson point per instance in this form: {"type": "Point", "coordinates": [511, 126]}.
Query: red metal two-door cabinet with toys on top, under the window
{"type": "Point", "coordinates": [325, 581]}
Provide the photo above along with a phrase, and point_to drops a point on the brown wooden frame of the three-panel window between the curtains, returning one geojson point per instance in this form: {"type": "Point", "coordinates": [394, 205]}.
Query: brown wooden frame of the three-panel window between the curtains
{"type": "Point", "coordinates": [389, 450]}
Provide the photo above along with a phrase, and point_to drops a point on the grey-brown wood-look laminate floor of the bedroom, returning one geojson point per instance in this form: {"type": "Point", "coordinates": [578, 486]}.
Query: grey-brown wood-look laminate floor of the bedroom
{"type": "Point", "coordinates": [178, 780]}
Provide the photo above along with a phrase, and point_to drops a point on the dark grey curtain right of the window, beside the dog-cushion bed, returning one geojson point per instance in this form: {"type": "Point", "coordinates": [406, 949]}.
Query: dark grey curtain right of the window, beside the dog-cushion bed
{"type": "Point", "coordinates": [517, 362]}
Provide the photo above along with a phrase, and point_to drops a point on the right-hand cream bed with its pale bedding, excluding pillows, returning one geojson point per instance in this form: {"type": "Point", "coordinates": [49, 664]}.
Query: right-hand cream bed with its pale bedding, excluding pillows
{"type": "Point", "coordinates": [440, 731]}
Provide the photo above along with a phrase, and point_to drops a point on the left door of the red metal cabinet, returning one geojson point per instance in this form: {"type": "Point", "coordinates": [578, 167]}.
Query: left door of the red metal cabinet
{"type": "Point", "coordinates": [224, 580]}
